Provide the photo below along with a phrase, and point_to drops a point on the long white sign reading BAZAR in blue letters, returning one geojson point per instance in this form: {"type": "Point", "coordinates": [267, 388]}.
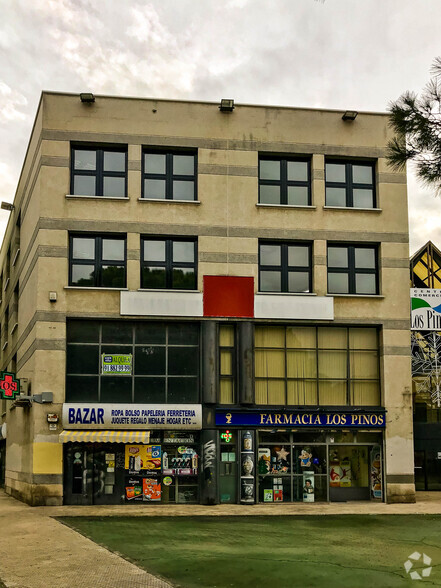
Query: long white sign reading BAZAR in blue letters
{"type": "Point", "coordinates": [132, 416]}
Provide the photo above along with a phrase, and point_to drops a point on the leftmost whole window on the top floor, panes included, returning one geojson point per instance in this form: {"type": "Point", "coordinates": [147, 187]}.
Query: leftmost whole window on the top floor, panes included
{"type": "Point", "coordinates": [99, 172]}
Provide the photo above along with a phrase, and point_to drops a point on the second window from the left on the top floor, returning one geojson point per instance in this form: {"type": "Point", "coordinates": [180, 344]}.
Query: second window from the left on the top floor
{"type": "Point", "coordinates": [169, 175]}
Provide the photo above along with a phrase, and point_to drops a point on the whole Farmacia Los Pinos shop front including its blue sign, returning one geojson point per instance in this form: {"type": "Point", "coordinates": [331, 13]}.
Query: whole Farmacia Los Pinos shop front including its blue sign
{"type": "Point", "coordinates": [339, 460]}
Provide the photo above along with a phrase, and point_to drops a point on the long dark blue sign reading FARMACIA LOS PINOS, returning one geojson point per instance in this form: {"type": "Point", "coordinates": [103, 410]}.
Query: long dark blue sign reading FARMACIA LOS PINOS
{"type": "Point", "coordinates": [368, 420]}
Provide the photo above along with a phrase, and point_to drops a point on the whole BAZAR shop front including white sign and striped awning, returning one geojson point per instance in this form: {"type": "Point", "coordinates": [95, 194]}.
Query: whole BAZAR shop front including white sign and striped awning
{"type": "Point", "coordinates": [122, 454]}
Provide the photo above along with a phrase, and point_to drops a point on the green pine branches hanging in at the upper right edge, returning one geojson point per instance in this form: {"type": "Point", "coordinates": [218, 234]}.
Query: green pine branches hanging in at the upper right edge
{"type": "Point", "coordinates": [416, 121]}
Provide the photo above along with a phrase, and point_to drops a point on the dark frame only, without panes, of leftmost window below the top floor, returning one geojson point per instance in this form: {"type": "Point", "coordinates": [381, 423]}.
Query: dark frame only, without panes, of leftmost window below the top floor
{"type": "Point", "coordinates": [97, 261]}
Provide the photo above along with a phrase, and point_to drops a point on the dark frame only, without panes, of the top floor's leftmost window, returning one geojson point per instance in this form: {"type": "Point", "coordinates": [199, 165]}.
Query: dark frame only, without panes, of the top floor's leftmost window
{"type": "Point", "coordinates": [98, 173]}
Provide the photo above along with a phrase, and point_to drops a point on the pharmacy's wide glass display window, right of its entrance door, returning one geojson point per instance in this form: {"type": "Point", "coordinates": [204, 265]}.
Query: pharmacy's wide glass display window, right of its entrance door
{"type": "Point", "coordinates": [319, 466]}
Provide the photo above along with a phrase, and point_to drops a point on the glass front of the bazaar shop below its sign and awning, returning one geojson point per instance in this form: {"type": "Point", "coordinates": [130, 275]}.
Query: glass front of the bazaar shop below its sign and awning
{"type": "Point", "coordinates": [163, 470]}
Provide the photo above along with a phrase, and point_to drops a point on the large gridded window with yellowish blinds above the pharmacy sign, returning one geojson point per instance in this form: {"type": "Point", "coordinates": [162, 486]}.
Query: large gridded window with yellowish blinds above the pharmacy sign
{"type": "Point", "coordinates": [327, 366]}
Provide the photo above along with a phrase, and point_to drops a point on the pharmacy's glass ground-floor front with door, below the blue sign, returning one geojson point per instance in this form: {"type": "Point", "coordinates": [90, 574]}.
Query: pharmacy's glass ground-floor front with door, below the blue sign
{"type": "Point", "coordinates": [296, 466]}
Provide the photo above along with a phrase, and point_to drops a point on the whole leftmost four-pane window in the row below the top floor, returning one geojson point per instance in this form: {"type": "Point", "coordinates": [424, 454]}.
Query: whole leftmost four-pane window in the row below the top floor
{"type": "Point", "coordinates": [97, 261]}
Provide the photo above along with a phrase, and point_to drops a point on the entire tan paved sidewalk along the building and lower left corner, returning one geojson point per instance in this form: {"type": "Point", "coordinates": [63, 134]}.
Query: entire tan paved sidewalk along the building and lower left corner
{"type": "Point", "coordinates": [40, 552]}
